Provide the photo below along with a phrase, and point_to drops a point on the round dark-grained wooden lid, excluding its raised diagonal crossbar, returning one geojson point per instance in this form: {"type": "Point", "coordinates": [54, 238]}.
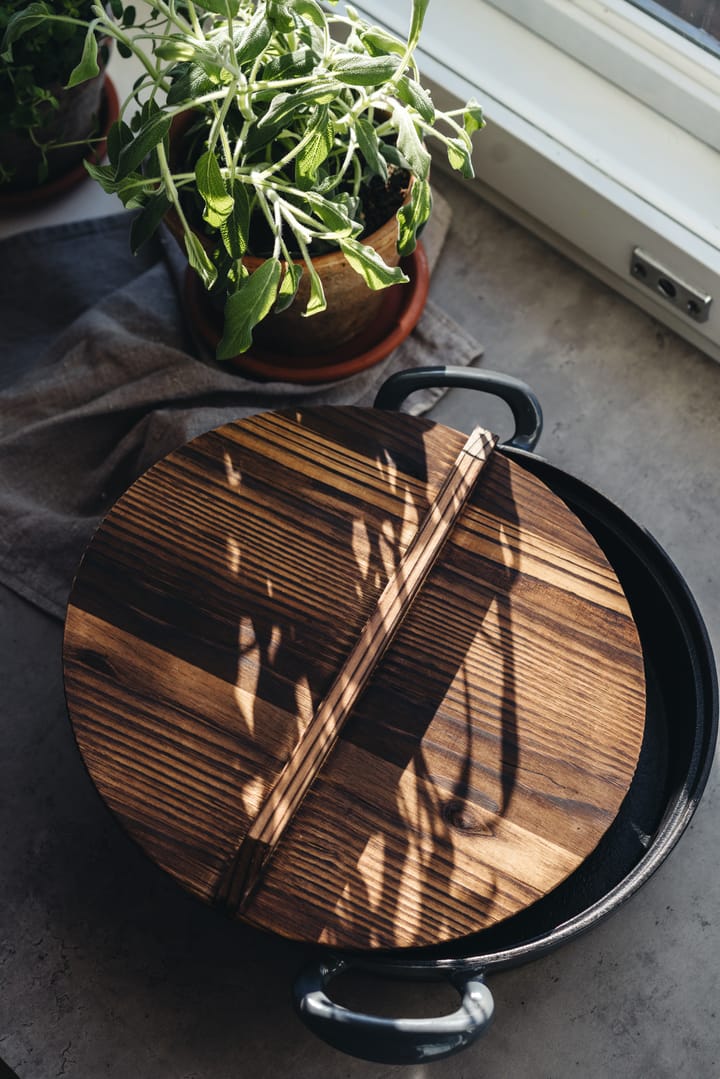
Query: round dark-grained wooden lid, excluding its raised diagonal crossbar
{"type": "Point", "coordinates": [493, 746]}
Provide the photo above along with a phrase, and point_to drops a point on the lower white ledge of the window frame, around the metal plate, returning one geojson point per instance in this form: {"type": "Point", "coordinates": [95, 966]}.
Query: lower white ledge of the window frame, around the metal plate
{"type": "Point", "coordinates": [576, 159]}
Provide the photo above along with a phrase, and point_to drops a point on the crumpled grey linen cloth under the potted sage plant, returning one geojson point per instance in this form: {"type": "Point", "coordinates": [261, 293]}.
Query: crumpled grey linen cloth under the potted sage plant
{"type": "Point", "coordinates": [100, 380]}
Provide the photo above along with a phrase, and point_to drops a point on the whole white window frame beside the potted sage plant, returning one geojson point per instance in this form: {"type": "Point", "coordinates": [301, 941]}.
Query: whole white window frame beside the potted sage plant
{"type": "Point", "coordinates": [581, 159]}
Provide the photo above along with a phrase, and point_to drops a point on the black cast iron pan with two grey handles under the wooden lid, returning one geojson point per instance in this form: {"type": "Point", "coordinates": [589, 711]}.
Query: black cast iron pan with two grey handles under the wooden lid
{"type": "Point", "coordinates": [675, 761]}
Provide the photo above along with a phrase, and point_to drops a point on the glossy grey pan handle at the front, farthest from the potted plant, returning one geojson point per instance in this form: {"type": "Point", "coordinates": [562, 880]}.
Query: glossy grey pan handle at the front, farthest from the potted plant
{"type": "Point", "coordinates": [391, 1041]}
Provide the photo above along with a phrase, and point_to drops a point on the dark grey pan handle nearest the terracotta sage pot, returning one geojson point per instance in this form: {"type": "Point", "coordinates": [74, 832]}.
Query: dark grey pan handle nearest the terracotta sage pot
{"type": "Point", "coordinates": [522, 400]}
